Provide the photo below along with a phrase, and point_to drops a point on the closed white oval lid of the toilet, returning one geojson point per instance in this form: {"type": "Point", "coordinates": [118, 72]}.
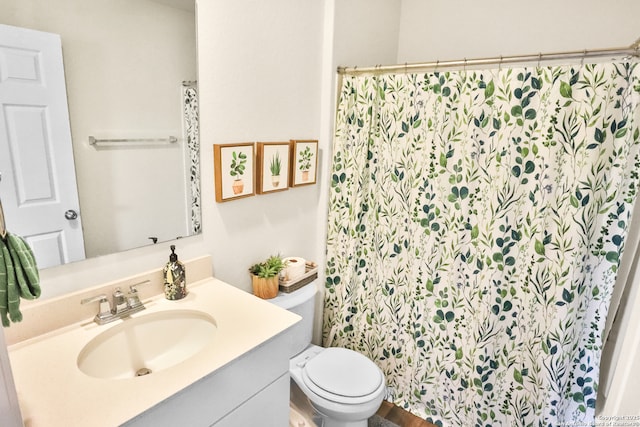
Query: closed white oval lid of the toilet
{"type": "Point", "coordinates": [343, 372]}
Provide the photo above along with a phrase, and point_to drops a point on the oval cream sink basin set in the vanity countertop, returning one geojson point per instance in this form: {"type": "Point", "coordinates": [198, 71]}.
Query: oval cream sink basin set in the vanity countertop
{"type": "Point", "coordinates": [150, 343]}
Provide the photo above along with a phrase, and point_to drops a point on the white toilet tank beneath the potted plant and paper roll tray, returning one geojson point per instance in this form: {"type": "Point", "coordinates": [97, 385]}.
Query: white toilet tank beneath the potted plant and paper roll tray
{"type": "Point", "coordinates": [301, 302]}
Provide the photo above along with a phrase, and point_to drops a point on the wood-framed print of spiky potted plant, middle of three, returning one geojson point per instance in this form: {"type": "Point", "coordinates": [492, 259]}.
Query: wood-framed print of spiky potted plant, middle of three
{"type": "Point", "coordinates": [273, 167]}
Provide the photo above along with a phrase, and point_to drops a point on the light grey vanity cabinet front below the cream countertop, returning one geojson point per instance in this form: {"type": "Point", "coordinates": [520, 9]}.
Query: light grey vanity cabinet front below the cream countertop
{"type": "Point", "coordinates": [251, 390]}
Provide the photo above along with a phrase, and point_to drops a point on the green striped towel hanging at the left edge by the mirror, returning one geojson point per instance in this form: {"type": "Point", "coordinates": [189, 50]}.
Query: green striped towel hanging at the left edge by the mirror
{"type": "Point", "coordinates": [19, 277]}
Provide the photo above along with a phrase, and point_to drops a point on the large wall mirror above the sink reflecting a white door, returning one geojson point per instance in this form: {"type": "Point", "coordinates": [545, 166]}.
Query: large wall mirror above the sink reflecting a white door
{"type": "Point", "coordinates": [118, 71]}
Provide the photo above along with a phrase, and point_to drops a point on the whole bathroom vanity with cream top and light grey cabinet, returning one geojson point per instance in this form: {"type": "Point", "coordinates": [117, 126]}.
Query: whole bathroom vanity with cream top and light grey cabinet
{"type": "Point", "coordinates": [239, 376]}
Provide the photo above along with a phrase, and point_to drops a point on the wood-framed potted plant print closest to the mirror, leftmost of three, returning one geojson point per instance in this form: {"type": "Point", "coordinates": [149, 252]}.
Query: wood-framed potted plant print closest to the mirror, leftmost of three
{"type": "Point", "coordinates": [234, 166]}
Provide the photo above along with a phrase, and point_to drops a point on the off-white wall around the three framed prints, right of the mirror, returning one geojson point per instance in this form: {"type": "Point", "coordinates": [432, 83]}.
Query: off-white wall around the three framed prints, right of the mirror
{"type": "Point", "coordinates": [260, 66]}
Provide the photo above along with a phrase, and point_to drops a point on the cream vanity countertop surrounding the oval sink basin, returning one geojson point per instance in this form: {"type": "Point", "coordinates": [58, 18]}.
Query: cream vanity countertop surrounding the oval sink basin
{"type": "Point", "coordinates": [53, 392]}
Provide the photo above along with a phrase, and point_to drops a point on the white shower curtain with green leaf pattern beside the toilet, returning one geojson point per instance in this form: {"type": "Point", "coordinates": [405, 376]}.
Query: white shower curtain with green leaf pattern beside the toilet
{"type": "Point", "coordinates": [476, 224]}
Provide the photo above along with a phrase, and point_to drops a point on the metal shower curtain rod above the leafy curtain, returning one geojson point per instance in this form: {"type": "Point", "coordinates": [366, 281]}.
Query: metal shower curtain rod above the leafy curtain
{"type": "Point", "coordinates": [631, 51]}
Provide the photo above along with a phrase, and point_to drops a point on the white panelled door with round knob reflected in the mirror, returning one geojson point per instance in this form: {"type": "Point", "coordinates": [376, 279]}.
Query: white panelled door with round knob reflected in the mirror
{"type": "Point", "coordinates": [38, 183]}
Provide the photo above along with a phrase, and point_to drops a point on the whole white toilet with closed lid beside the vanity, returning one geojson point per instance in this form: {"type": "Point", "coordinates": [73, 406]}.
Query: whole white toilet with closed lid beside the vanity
{"type": "Point", "coordinates": [343, 386]}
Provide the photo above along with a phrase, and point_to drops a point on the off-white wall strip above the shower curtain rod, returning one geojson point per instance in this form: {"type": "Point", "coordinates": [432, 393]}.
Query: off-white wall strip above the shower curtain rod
{"type": "Point", "coordinates": [458, 29]}
